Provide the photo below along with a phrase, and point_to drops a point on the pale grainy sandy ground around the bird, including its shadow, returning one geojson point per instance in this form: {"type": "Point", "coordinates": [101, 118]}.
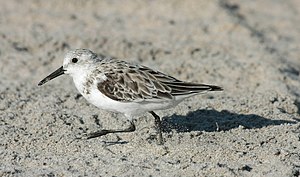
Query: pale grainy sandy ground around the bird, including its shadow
{"type": "Point", "coordinates": [251, 48]}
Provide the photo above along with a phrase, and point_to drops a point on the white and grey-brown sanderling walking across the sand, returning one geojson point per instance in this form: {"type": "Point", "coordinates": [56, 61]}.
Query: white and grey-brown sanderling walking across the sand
{"type": "Point", "coordinates": [124, 87]}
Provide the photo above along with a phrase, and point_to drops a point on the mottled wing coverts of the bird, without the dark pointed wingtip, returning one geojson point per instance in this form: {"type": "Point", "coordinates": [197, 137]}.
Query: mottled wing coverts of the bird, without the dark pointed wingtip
{"type": "Point", "coordinates": [132, 84]}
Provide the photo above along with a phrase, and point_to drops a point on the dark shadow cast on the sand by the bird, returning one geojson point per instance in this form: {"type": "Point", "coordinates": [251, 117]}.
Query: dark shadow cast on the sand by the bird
{"type": "Point", "coordinates": [212, 120]}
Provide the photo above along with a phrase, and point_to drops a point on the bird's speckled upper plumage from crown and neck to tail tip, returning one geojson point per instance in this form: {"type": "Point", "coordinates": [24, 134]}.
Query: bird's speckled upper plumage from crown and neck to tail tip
{"type": "Point", "coordinates": [127, 82]}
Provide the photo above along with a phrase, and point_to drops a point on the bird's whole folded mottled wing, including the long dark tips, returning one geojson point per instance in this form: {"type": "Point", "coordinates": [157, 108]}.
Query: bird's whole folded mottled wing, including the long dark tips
{"type": "Point", "coordinates": [140, 83]}
